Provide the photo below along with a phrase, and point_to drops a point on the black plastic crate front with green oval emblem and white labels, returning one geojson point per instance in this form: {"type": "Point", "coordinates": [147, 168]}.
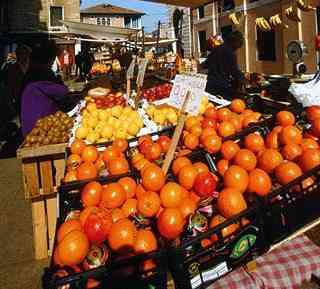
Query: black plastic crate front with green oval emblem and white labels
{"type": "Point", "coordinates": [194, 266]}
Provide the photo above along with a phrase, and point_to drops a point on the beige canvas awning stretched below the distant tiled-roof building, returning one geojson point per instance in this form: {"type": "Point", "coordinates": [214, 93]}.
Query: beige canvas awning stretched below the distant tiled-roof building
{"type": "Point", "coordinates": [108, 33]}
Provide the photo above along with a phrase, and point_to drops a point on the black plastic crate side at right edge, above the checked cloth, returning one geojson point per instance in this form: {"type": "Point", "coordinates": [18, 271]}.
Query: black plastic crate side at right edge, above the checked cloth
{"type": "Point", "coordinates": [291, 207]}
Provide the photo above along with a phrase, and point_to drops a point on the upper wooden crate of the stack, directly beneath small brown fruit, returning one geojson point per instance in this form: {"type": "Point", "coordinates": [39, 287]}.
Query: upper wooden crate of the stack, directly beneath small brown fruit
{"type": "Point", "coordinates": [42, 169]}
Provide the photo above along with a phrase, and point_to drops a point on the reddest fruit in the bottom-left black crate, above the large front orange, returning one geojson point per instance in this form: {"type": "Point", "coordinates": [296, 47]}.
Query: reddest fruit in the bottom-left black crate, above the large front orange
{"type": "Point", "coordinates": [94, 229]}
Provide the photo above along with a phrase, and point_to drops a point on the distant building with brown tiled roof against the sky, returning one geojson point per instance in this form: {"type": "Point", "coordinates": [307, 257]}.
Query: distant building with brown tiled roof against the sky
{"type": "Point", "coordinates": [110, 15]}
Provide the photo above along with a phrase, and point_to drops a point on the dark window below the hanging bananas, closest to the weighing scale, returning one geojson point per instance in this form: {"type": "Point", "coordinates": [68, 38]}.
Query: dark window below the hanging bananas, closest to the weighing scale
{"type": "Point", "coordinates": [266, 45]}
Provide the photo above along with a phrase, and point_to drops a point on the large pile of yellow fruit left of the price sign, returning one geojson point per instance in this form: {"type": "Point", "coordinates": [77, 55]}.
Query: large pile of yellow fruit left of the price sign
{"type": "Point", "coordinates": [105, 124]}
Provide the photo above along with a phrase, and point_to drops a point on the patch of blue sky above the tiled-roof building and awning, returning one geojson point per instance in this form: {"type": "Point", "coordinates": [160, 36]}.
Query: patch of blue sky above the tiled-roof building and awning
{"type": "Point", "coordinates": [155, 12]}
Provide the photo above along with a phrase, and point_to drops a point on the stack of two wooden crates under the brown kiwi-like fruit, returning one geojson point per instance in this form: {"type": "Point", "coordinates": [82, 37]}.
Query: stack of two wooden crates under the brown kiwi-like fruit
{"type": "Point", "coordinates": [42, 172]}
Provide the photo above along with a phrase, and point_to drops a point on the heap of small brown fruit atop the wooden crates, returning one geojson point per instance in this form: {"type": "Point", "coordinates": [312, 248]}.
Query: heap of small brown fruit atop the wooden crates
{"type": "Point", "coordinates": [52, 129]}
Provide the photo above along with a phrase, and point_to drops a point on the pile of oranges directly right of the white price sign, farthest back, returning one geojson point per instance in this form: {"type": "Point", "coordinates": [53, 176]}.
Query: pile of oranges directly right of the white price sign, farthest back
{"type": "Point", "coordinates": [208, 130]}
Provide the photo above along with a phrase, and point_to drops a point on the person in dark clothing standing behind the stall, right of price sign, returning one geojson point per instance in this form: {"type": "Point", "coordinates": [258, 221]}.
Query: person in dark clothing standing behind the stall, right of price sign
{"type": "Point", "coordinates": [224, 76]}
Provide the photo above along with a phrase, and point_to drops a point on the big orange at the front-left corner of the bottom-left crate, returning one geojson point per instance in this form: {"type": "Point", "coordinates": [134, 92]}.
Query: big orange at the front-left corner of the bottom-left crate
{"type": "Point", "coordinates": [73, 248]}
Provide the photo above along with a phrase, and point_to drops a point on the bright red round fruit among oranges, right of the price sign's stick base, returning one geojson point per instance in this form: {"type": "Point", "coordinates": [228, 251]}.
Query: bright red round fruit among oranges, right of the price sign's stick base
{"type": "Point", "coordinates": [205, 184]}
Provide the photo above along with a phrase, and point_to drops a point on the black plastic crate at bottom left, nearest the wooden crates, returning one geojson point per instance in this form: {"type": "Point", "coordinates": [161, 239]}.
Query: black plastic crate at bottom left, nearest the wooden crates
{"type": "Point", "coordinates": [118, 272]}
